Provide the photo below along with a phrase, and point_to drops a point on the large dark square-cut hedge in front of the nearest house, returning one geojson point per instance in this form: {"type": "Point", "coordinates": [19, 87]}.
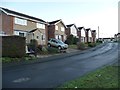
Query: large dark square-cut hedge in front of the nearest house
{"type": "Point", "coordinates": [13, 46]}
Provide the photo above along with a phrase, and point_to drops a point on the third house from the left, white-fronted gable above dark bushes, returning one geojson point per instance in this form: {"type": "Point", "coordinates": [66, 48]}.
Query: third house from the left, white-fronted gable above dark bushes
{"type": "Point", "coordinates": [71, 30]}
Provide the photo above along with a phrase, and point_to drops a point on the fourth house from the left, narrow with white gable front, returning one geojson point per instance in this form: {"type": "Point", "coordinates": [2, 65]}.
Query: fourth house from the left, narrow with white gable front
{"type": "Point", "coordinates": [82, 34]}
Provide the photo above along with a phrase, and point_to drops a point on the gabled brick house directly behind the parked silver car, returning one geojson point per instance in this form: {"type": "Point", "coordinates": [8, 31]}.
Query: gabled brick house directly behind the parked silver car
{"type": "Point", "coordinates": [56, 29]}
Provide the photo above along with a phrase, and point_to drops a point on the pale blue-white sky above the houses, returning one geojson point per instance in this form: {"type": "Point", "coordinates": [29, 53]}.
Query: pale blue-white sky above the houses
{"type": "Point", "coordinates": [87, 13]}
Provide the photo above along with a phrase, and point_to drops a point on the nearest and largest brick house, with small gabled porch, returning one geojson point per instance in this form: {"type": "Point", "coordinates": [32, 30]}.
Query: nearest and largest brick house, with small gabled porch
{"type": "Point", "coordinates": [15, 23]}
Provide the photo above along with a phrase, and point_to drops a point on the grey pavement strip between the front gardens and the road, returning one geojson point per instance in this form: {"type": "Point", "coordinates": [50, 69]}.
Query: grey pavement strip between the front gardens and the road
{"type": "Point", "coordinates": [52, 57]}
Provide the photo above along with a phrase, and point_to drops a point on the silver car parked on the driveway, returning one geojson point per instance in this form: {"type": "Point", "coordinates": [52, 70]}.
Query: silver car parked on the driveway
{"type": "Point", "coordinates": [57, 43]}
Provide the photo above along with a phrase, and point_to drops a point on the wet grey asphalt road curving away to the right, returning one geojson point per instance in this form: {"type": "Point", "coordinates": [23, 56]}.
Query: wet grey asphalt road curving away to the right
{"type": "Point", "coordinates": [54, 73]}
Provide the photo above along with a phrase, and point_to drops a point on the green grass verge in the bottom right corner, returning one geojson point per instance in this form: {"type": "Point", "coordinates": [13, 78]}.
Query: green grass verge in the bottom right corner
{"type": "Point", "coordinates": [103, 78]}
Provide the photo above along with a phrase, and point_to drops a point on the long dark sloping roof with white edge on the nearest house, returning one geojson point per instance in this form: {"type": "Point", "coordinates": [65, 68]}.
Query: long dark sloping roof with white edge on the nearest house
{"type": "Point", "coordinates": [14, 13]}
